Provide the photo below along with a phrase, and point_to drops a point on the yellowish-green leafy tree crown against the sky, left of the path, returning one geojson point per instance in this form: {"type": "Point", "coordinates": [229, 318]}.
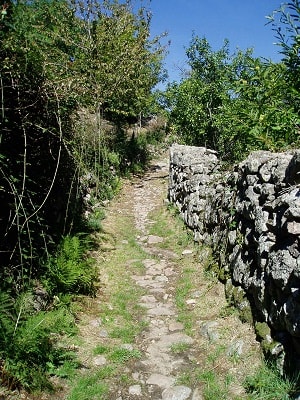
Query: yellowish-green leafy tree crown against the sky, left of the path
{"type": "Point", "coordinates": [120, 62]}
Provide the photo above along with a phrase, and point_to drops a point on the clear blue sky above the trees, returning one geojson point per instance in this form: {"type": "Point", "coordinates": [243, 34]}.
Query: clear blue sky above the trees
{"type": "Point", "coordinates": [242, 22]}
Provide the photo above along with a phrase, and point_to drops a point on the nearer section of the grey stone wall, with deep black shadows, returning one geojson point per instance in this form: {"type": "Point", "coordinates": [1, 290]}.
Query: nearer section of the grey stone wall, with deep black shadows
{"type": "Point", "coordinates": [266, 262]}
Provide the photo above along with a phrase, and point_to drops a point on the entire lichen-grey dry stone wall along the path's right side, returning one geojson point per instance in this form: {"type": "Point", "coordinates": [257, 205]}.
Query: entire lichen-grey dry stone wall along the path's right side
{"type": "Point", "coordinates": [250, 217]}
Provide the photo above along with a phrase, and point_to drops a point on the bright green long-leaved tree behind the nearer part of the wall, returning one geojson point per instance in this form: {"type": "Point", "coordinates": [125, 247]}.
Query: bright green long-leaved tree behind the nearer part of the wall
{"type": "Point", "coordinates": [258, 115]}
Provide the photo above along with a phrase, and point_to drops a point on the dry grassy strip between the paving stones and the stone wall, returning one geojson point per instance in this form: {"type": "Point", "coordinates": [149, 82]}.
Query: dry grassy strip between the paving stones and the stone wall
{"type": "Point", "coordinates": [224, 352]}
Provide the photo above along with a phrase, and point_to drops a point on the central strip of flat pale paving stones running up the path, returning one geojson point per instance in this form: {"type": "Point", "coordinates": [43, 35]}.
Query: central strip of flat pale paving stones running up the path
{"type": "Point", "coordinates": [157, 371]}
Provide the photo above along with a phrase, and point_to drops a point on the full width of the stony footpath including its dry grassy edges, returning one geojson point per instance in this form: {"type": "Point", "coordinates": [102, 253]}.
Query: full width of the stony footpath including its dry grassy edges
{"type": "Point", "coordinates": [161, 371]}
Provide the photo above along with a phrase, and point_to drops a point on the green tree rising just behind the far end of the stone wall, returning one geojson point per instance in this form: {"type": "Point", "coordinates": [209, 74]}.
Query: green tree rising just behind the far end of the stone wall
{"type": "Point", "coordinates": [197, 100]}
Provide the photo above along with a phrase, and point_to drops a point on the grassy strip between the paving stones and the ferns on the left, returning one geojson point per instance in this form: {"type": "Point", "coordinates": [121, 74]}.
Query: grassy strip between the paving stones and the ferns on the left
{"type": "Point", "coordinates": [118, 310]}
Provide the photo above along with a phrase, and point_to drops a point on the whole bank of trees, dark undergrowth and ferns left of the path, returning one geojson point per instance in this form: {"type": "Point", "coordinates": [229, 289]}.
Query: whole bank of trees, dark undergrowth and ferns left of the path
{"type": "Point", "coordinates": [66, 68]}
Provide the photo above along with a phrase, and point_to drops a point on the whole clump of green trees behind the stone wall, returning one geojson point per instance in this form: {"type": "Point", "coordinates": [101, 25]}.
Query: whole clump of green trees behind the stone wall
{"type": "Point", "coordinates": [234, 103]}
